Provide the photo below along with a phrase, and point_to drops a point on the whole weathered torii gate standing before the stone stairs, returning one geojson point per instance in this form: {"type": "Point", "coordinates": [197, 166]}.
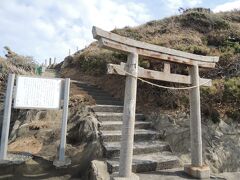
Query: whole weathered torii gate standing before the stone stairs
{"type": "Point", "coordinates": [134, 49]}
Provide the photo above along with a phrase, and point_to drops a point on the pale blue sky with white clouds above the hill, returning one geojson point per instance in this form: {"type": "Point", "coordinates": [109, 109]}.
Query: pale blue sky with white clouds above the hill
{"type": "Point", "coordinates": [49, 28]}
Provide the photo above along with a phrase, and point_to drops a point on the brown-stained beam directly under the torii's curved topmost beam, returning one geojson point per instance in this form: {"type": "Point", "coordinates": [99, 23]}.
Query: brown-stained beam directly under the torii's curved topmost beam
{"type": "Point", "coordinates": [106, 43]}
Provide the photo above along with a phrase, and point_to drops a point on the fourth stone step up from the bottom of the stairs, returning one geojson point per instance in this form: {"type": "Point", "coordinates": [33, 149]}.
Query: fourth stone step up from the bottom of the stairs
{"type": "Point", "coordinates": [117, 125]}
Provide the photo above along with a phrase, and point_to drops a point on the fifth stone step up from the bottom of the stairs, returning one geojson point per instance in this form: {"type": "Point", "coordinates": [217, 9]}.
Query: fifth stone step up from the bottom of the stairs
{"type": "Point", "coordinates": [110, 116]}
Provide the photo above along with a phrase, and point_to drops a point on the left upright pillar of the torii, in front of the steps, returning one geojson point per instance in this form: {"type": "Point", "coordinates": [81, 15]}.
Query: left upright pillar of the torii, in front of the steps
{"type": "Point", "coordinates": [126, 151]}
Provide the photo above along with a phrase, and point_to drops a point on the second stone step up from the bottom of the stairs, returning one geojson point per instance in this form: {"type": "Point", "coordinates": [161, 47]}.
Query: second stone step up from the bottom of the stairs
{"type": "Point", "coordinates": [112, 149]}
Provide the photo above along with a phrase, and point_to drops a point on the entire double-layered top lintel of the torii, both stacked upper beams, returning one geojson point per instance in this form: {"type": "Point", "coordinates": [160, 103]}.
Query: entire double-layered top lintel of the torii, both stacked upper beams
{"type": "Point", "coordinates": [116, 42]}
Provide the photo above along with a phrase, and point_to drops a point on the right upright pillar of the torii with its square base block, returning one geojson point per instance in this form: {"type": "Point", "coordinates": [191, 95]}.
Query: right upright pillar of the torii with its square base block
{"type": "Point", "coordinates": [196, 169]}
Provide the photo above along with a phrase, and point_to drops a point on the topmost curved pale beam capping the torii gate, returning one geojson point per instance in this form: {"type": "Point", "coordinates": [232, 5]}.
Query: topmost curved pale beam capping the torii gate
{"type": "Point", "coordinates": [99, 33]}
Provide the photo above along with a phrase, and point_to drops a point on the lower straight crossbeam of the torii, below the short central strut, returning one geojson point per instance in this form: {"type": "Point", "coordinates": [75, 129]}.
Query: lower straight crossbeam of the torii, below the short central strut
{"type": "Point", "coordinates": [156, 75]}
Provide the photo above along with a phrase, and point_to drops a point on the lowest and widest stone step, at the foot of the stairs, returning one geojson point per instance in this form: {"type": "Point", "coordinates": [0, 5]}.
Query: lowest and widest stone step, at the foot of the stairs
{"type": "Point", "coordinates": [147, 162]}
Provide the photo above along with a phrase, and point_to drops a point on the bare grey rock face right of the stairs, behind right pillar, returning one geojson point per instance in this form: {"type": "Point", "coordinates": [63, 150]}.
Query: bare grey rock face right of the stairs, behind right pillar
{"type": "Point", "coordinates": [221, 142]}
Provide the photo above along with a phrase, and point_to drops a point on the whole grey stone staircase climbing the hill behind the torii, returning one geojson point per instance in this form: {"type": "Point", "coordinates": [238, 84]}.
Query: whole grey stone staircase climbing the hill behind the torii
{"type": "Point", "coordinates": [150, 152]}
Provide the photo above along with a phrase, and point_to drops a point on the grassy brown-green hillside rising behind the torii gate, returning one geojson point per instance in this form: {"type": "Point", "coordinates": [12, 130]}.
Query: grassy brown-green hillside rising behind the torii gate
{"type": "Point", "coordinates": [195, 32]}
